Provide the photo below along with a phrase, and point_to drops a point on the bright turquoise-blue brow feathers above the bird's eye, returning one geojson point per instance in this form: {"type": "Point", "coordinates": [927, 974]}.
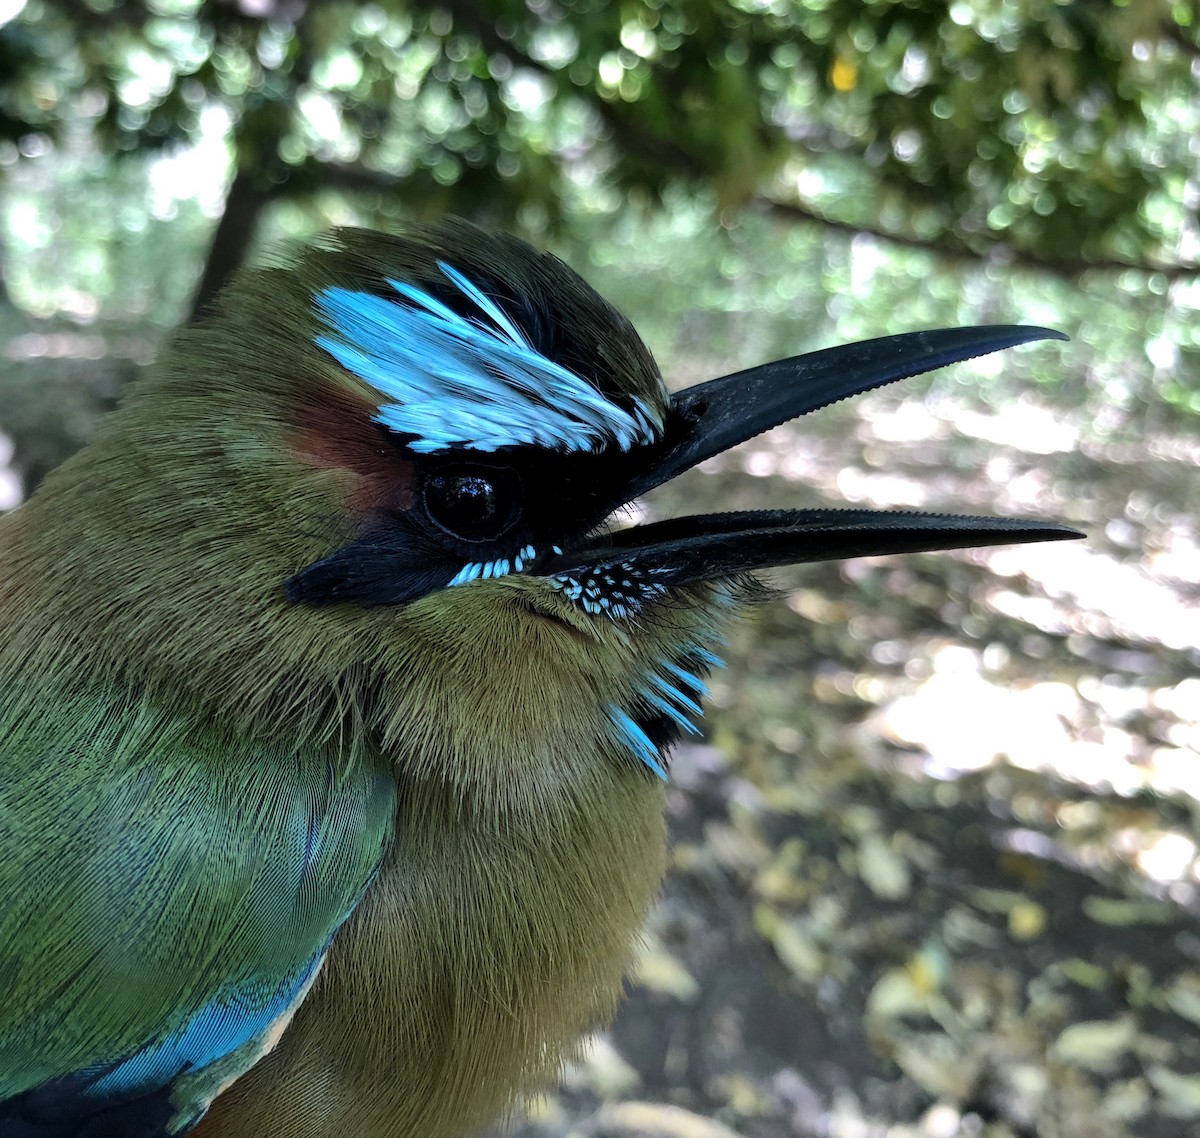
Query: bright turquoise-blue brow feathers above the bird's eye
{"type": "Point", "coordinates": [473, 382]}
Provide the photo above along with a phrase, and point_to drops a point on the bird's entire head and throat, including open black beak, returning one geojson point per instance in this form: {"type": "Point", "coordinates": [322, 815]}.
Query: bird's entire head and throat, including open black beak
{"type": "Point", "coordinates": [389, 465]}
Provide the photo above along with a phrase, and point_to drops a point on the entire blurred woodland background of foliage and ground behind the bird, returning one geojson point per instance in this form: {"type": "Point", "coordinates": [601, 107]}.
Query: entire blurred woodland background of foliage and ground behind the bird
{"type": "Point", "coordinates": [937, 861]}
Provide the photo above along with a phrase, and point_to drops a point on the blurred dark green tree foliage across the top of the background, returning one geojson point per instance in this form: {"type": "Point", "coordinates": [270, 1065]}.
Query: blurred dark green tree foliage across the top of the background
{"type": "Point", "coordinates": [1059, 133]}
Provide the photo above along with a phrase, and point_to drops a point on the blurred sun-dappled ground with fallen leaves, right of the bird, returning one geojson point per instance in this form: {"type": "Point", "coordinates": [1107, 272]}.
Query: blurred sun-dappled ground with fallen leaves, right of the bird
{"type": "Point", "coordinates": [935, 872]}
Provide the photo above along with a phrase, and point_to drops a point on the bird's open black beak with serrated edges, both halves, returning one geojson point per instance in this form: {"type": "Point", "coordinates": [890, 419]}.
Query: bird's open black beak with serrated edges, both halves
{"type": "Point", "coordinates": [709, 420]}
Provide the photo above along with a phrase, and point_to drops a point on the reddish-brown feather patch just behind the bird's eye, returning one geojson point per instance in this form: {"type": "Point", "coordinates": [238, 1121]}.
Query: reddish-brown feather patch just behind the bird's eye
{"type": "Point", "coordinates": [335, 429]}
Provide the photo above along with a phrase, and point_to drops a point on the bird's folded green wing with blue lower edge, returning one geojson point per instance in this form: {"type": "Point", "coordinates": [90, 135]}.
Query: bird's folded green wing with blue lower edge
{"type": "Point", "coordinates": [169, 895]}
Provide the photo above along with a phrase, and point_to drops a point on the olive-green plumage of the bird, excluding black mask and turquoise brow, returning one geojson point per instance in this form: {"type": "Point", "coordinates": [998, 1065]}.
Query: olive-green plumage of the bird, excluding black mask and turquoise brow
{"type": "Point", "coordinates": [172, 728]}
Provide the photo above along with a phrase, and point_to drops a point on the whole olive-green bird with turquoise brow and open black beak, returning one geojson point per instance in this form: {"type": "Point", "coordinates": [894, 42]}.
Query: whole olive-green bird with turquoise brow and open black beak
{"type": "Point", "coordinates": [337, 710]}
